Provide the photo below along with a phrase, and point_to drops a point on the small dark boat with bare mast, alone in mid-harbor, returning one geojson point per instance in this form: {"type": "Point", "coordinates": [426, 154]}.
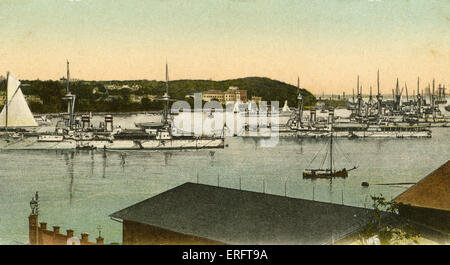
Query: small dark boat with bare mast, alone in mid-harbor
{"type": "Point", "coordinates": [330, 172]}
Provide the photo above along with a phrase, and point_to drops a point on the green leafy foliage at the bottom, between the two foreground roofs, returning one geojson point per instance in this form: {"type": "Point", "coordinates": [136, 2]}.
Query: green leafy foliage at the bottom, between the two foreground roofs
{"type": "Point", "coordinates": [387, 231]}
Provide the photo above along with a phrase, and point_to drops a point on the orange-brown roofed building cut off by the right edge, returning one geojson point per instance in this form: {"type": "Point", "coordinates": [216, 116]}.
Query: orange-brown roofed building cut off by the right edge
{"type": "Point", "coordinates": [428, 201]}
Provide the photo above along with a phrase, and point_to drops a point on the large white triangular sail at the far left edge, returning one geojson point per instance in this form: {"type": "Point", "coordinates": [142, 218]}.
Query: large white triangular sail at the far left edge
{"type": "Point", "coordinates": [19, 114]}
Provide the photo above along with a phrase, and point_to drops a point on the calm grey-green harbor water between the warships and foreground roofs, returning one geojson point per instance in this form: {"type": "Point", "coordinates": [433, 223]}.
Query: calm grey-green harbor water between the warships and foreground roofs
{"type": "Point", "coordinates": [79, 189]}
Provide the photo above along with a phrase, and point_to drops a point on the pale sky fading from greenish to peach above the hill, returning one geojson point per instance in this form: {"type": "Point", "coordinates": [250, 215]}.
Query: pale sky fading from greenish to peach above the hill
{"type": "Point", "coordinates": [327, 43]}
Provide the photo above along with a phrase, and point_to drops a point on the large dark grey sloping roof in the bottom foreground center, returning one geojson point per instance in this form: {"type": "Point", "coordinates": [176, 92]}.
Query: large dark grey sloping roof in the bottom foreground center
{"type": "Point", "coordinates": [243, 217]}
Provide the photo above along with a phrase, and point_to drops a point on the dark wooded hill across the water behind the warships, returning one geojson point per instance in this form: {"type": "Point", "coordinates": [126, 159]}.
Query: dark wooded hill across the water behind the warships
{"type": "Point", "coordinates": [133, 95]}
